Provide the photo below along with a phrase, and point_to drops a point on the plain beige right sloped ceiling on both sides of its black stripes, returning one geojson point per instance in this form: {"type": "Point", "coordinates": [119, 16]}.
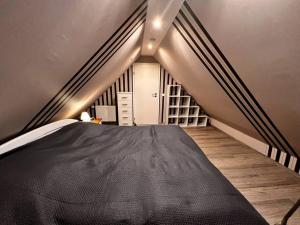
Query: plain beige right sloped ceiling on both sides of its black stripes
{"type": "Point", "coordinates": [261, 41]}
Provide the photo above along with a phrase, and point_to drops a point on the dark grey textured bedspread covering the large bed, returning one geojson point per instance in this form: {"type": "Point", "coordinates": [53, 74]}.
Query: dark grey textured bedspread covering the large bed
{"type": "Point", "coordinates": [90, 174]}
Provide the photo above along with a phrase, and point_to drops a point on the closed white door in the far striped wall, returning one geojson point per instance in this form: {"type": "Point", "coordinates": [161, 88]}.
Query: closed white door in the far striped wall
{"type": "Point", "coordinates": [146, 93]}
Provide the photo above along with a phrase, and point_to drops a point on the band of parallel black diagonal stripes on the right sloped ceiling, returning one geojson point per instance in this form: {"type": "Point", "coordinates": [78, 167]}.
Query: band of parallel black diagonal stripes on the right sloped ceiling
{"type": "Point", "coordinates": [229, 78]}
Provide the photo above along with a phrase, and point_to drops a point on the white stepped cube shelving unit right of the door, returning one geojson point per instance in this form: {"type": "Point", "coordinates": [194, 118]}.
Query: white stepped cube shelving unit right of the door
{"type": "Point", "coordinates": [179, 111]}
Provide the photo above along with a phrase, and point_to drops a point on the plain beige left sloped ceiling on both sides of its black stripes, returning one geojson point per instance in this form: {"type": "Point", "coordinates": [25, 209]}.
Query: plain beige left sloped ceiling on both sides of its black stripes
{"type": "Point", "coordinates": [44, 43]}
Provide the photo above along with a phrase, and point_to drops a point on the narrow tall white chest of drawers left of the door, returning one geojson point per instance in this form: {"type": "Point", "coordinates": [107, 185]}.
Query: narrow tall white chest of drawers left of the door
{"type": "Point", "coordinates": [125, 108]}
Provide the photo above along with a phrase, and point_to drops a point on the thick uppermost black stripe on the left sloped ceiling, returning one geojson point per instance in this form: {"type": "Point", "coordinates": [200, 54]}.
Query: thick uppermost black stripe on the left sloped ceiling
{"type": "Point", "coordinates": [80, 70]}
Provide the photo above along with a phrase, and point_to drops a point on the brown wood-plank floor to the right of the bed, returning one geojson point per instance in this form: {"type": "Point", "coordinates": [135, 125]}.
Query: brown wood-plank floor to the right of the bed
{"type": "Point", "coordinates": [271, 188]}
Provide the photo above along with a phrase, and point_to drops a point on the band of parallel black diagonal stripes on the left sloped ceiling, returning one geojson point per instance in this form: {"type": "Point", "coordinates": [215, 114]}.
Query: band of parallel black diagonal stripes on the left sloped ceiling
{"type": "Point", "coordinates": [107, 50]}
